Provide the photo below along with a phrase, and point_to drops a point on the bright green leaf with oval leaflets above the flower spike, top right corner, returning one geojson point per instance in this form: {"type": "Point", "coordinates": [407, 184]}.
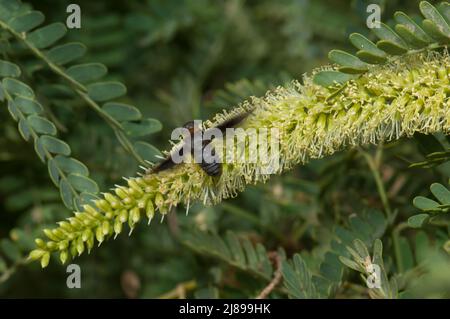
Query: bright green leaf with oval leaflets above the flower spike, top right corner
{"type": "Point", "coordinates": [407, 37]}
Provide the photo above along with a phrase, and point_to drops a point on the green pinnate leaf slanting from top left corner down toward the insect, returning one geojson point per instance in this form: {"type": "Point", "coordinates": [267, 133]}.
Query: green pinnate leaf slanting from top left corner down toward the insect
{"type": "Point", "coordinates": [81, 78]}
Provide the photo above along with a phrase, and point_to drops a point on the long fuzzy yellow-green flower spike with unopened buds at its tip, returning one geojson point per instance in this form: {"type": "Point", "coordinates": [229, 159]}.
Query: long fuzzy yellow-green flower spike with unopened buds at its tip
{"type": "Point", "coordinates": [408, 95]}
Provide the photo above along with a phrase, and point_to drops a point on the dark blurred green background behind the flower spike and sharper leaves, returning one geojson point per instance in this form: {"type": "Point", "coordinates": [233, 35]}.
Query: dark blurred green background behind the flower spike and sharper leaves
{"type": "Point", "coordinates": [189, 59]}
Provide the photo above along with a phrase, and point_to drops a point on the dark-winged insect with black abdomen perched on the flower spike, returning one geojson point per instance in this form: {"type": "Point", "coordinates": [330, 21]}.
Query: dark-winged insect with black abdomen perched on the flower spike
{"type": "Point", "coordinates": [210, 162]}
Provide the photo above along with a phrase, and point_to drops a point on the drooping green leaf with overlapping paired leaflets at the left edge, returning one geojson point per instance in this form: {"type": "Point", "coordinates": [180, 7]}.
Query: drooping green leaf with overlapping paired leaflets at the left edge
{"type": "Point", "coordinates": [68, 174]}
